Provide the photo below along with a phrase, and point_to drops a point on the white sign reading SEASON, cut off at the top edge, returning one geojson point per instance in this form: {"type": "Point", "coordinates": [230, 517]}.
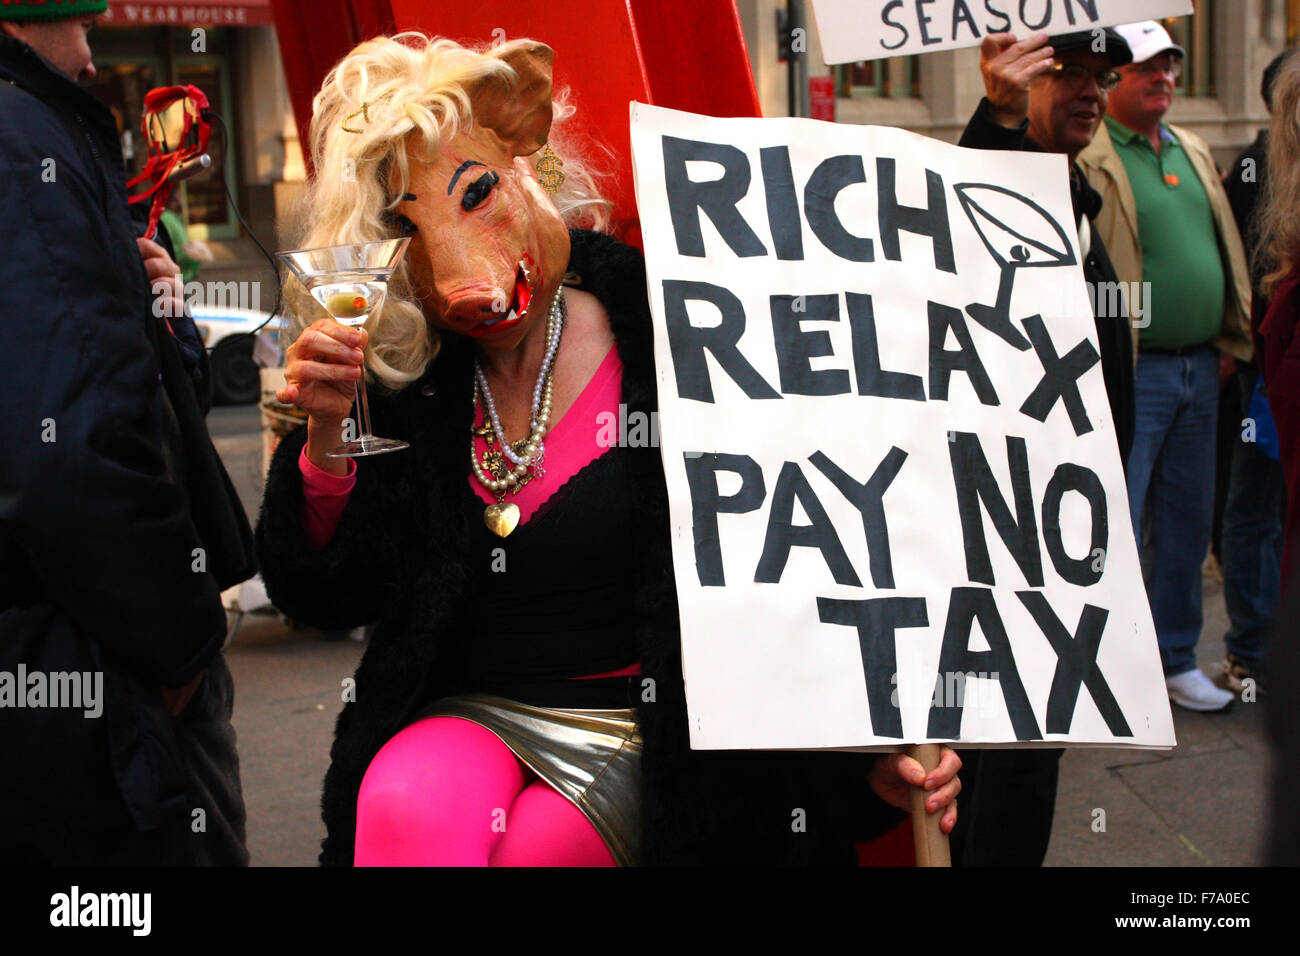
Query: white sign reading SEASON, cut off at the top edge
{"type": "Point", "coordinates": [853, 31]}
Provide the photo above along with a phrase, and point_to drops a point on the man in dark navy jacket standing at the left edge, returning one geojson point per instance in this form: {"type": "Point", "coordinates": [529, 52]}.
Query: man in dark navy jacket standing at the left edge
{"type": "Point", "coordinates": [119, 526]}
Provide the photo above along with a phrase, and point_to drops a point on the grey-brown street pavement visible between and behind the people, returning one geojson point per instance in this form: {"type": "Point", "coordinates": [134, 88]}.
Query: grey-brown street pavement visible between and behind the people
{"type": "Point", "coordinates": [1202, 804]}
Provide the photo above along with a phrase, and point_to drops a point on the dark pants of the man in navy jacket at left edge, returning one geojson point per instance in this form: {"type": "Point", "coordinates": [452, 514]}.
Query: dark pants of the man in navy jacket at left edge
{"type": "Point", "coordinates": [211, 833]}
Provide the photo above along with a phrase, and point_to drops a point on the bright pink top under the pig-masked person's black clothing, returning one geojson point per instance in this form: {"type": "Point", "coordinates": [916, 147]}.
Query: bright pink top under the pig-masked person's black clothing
{"type": "Point", "coordinates": [588, 430]}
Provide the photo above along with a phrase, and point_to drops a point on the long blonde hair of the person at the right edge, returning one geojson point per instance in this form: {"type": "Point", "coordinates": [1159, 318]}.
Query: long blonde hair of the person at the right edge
{"type": "Point", "coordinates": [1280, 217]}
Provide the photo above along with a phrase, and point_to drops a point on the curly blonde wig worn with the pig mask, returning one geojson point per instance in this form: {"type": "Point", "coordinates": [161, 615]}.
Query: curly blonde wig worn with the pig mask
{"type": "Point", "coordinates": [405, 96]}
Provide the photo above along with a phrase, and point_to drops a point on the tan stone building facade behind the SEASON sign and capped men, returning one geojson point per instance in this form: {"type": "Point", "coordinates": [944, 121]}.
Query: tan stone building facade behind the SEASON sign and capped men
{"type": "Point", "coordinates": [1229, 44]}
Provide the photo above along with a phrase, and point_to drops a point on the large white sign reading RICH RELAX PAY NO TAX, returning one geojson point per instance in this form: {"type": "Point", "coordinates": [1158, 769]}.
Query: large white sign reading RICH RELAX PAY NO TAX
{"type": "Point", "coordinates": [898, 507]}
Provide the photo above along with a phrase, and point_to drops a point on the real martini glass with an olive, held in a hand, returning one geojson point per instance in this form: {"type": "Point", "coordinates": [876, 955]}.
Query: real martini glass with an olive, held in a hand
{"type": "Point", "coordinates": [350, 283]}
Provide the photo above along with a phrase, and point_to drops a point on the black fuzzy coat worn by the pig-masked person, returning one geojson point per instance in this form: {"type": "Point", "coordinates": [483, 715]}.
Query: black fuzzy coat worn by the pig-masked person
{"type": "Point", "coordinates": [398, 560]}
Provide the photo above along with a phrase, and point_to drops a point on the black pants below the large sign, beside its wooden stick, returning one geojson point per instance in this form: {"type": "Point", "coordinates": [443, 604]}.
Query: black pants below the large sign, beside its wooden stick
{"type": "Point", "coordinates": [1006, 808]}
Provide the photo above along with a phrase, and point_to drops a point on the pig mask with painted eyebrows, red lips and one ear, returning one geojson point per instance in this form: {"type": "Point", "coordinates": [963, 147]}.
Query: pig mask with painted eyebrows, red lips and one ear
{"type": "Point", "coordinates": [489, 249]}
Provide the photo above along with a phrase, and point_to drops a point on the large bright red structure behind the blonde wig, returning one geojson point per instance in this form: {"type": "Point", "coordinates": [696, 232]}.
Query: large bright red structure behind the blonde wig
{"type": "Point", "coordinates": [609, 54]}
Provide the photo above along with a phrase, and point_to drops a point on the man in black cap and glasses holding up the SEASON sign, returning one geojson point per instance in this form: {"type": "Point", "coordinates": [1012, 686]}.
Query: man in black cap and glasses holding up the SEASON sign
{"type": "Point", "coordinates": [1046, 100]}
